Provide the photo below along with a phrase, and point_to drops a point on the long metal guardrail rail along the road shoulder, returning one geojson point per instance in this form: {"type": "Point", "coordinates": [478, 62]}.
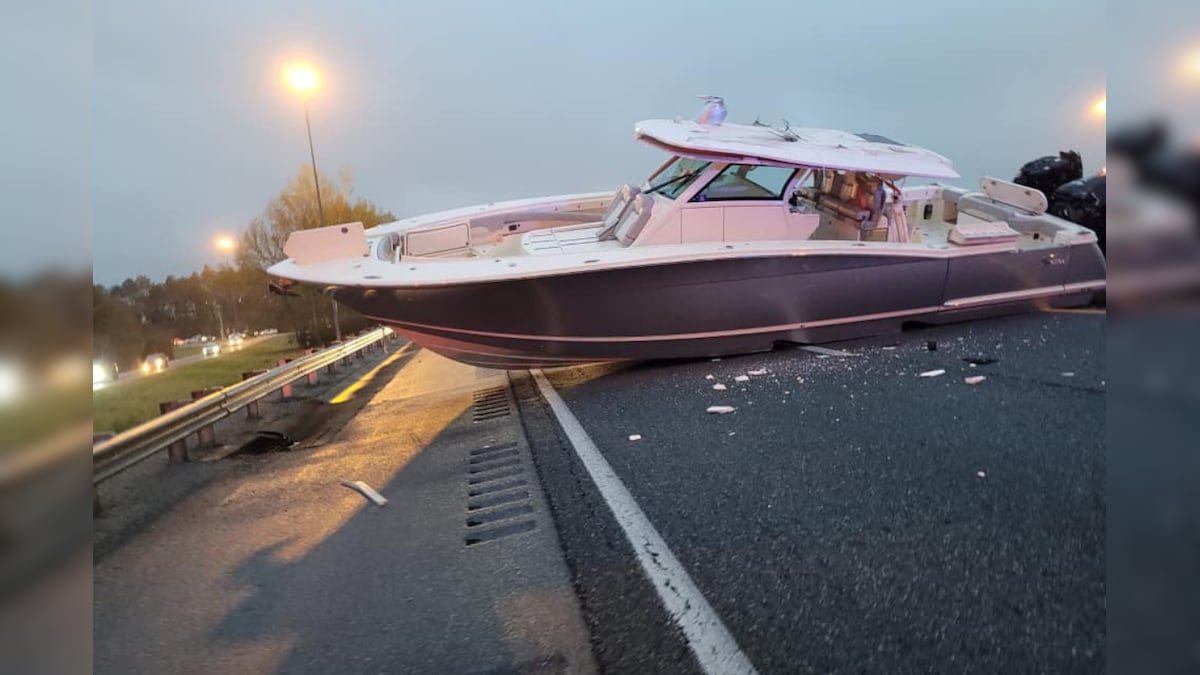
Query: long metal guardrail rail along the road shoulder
{"type": "Point", "coordinates": [136, 445]}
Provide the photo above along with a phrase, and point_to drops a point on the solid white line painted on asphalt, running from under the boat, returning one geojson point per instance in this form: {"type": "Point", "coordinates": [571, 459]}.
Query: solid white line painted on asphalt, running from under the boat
{"type": "Point", "coordinates": [709, 638]}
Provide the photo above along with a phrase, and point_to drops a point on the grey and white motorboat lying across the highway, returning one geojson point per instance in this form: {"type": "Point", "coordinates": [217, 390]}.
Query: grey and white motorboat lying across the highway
{"type": "Point", "coordinates": [747, 237]}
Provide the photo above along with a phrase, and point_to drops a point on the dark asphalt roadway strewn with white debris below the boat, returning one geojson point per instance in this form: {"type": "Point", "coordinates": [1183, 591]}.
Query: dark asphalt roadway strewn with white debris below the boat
{"type": "Point", "coordinates": [851, 516]}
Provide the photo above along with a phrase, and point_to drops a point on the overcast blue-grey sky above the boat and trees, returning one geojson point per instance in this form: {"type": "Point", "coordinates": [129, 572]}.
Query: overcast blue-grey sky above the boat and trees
{"type": "Point", "coordinates": [452, 104]}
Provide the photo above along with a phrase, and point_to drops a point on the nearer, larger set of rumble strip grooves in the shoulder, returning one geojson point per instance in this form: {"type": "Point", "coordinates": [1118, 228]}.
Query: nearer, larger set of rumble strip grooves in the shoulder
{"type": "Point", "coordinates": [499, 499]}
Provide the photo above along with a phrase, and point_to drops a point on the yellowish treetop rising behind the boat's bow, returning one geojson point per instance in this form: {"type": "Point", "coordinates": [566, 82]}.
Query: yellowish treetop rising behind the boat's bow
{"type": "Point", "coordinates": [296, 208]}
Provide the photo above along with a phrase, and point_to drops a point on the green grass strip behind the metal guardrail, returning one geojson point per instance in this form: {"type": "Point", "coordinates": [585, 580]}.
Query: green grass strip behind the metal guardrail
{"type": "Point", "coordinates": [123, 405]}
